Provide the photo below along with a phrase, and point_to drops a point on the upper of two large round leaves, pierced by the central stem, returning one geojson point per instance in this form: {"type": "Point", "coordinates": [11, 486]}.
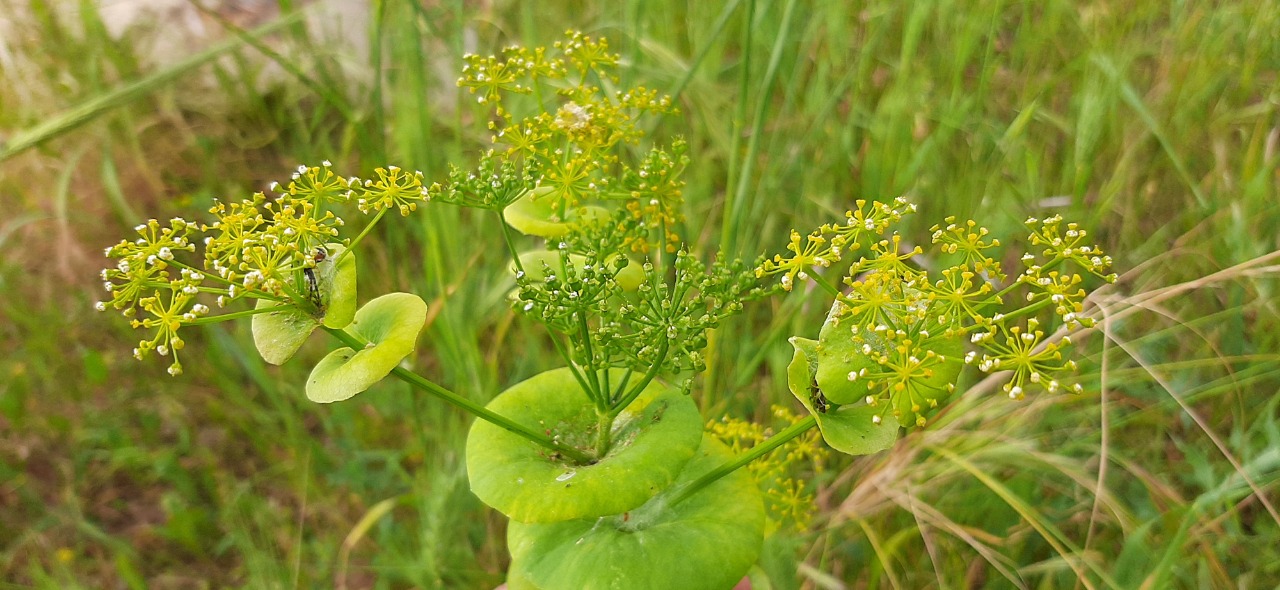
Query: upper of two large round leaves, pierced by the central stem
{"type": "Point", "coordinates": [652, 441]}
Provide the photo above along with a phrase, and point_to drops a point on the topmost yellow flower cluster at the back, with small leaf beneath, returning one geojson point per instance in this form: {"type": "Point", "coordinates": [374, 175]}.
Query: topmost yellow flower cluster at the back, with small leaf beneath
{"type": "Point", "coordinates": [557, 130]}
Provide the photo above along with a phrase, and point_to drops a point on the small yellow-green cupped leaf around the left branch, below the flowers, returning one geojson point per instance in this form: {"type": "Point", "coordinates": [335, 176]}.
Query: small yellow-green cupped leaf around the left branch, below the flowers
{"type": "Point", "coordinates": [390, 324]}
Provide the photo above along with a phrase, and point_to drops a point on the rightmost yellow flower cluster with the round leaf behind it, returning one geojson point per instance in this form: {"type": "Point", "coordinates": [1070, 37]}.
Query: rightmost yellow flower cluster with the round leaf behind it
{"type": "Point", "coordinates": [898, 335]}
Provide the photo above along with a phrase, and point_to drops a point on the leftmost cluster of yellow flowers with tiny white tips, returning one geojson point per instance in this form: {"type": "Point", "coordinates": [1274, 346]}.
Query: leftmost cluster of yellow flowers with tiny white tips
{"type": "Point", "coordinates": [280, 251]}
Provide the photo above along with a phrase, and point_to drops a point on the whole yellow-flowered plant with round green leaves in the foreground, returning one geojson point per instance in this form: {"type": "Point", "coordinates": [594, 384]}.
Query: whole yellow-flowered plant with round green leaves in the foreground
{"type": "Point", "coordinates": [596, 463]}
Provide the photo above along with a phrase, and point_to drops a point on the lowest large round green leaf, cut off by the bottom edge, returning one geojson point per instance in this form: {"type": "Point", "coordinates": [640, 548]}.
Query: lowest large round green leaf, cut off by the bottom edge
{"type": "Point", "coordinates": [707, 542]}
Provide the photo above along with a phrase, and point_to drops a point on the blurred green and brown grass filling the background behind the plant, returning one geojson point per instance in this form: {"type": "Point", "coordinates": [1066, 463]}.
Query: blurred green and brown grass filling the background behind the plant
{"type": "Point", "coordinates": [1154, 125]}
